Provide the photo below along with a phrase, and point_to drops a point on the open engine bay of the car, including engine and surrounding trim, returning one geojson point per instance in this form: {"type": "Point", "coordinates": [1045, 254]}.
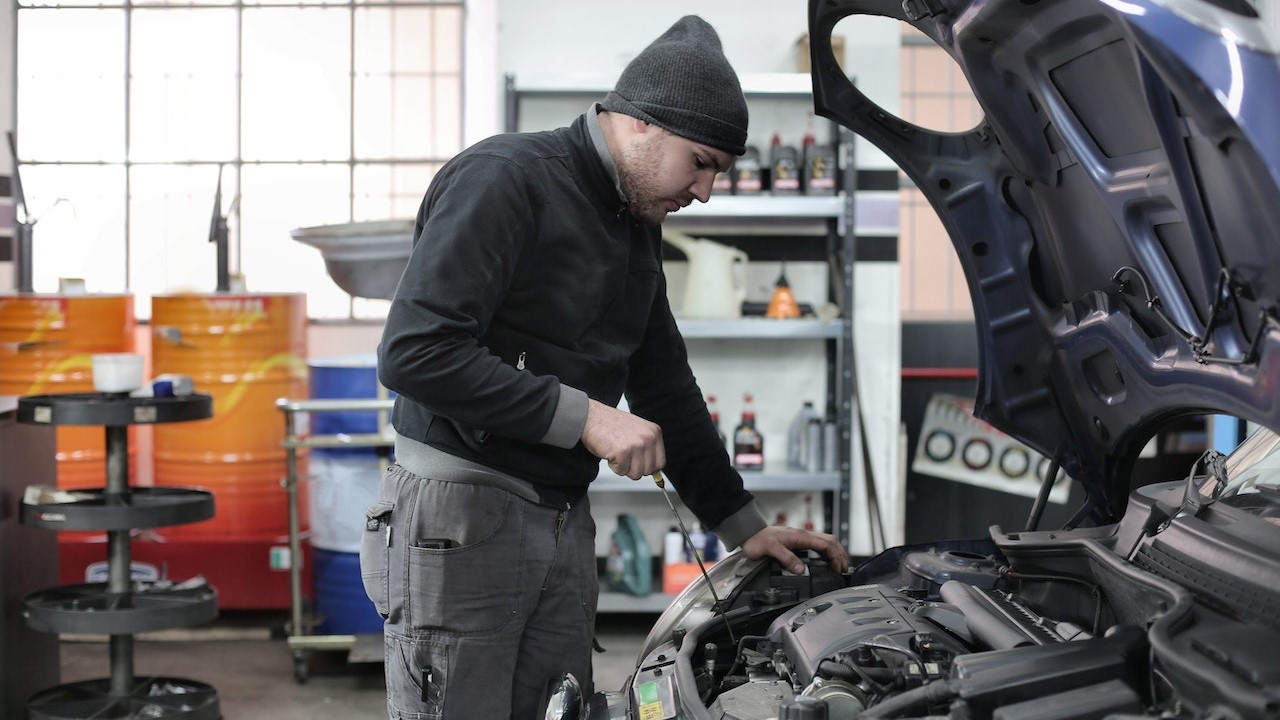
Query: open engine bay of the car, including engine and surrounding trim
{"type": "Point", "coordinates": [1066, 625]}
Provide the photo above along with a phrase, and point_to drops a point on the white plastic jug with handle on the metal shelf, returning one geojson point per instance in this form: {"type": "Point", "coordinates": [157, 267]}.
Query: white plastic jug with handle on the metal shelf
{"type": "Point", "coordinates": [716, 285]}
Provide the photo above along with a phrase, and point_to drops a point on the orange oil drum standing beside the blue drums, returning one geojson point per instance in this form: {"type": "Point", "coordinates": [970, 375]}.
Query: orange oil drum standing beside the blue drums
{"type": "Point", "coordinates": [246, 350]}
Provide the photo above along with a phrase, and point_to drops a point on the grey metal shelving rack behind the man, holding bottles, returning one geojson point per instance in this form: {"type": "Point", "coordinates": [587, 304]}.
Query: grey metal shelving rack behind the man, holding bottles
{"type": "Point", "coordinates": [828, 220]}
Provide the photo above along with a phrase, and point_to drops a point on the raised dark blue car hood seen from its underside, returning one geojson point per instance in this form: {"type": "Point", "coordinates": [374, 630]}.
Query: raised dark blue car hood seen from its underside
{"type": "Point", "coordinates": [1117, 213]}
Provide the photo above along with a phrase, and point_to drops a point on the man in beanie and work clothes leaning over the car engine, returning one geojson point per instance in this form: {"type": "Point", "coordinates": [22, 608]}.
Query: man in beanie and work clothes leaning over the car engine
{"type": "Point", "coordinates": [533, 300]}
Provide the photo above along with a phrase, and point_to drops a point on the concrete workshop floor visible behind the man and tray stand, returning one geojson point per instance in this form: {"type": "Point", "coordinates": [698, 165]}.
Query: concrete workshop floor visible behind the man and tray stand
{"type": "Point", "coordinates": [245, 658]}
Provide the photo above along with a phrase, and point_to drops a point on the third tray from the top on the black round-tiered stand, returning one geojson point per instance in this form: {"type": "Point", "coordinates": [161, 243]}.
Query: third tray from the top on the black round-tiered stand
{"type": "Point", "coordinates": [92, 609]}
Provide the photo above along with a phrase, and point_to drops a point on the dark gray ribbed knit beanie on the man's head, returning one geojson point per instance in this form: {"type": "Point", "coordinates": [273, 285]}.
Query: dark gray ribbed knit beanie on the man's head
{"type": "Point", "coordinates": [684, 84]}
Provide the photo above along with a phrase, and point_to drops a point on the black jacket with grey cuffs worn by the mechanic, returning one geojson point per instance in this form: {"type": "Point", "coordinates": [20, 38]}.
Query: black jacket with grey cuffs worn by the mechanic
{"type": "Point", "coordinates": [527, 274]}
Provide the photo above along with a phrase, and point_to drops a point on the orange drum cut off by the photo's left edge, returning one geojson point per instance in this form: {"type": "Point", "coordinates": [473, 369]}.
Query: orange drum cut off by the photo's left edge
{"type": "Point", "coordinates": [47, 348]}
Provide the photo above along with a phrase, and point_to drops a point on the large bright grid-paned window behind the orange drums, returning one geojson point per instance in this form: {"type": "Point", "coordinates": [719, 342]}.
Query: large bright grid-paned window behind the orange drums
{"type": "Point", "coordinates": [312, 112]}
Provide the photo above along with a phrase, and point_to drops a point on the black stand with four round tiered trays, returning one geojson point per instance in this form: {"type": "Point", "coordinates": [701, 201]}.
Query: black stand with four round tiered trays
{"type": "Point", "coordinates": [122, 605]}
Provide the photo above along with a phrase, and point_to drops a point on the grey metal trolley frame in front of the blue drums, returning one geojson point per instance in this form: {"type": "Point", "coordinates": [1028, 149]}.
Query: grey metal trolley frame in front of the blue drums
{"type": "Point", "coordinates": [363, 648]}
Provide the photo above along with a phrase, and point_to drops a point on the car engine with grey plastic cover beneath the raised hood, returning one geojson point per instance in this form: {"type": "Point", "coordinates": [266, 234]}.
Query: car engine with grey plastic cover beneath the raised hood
{"type": "Point", "coordinates": [885, 651]}
